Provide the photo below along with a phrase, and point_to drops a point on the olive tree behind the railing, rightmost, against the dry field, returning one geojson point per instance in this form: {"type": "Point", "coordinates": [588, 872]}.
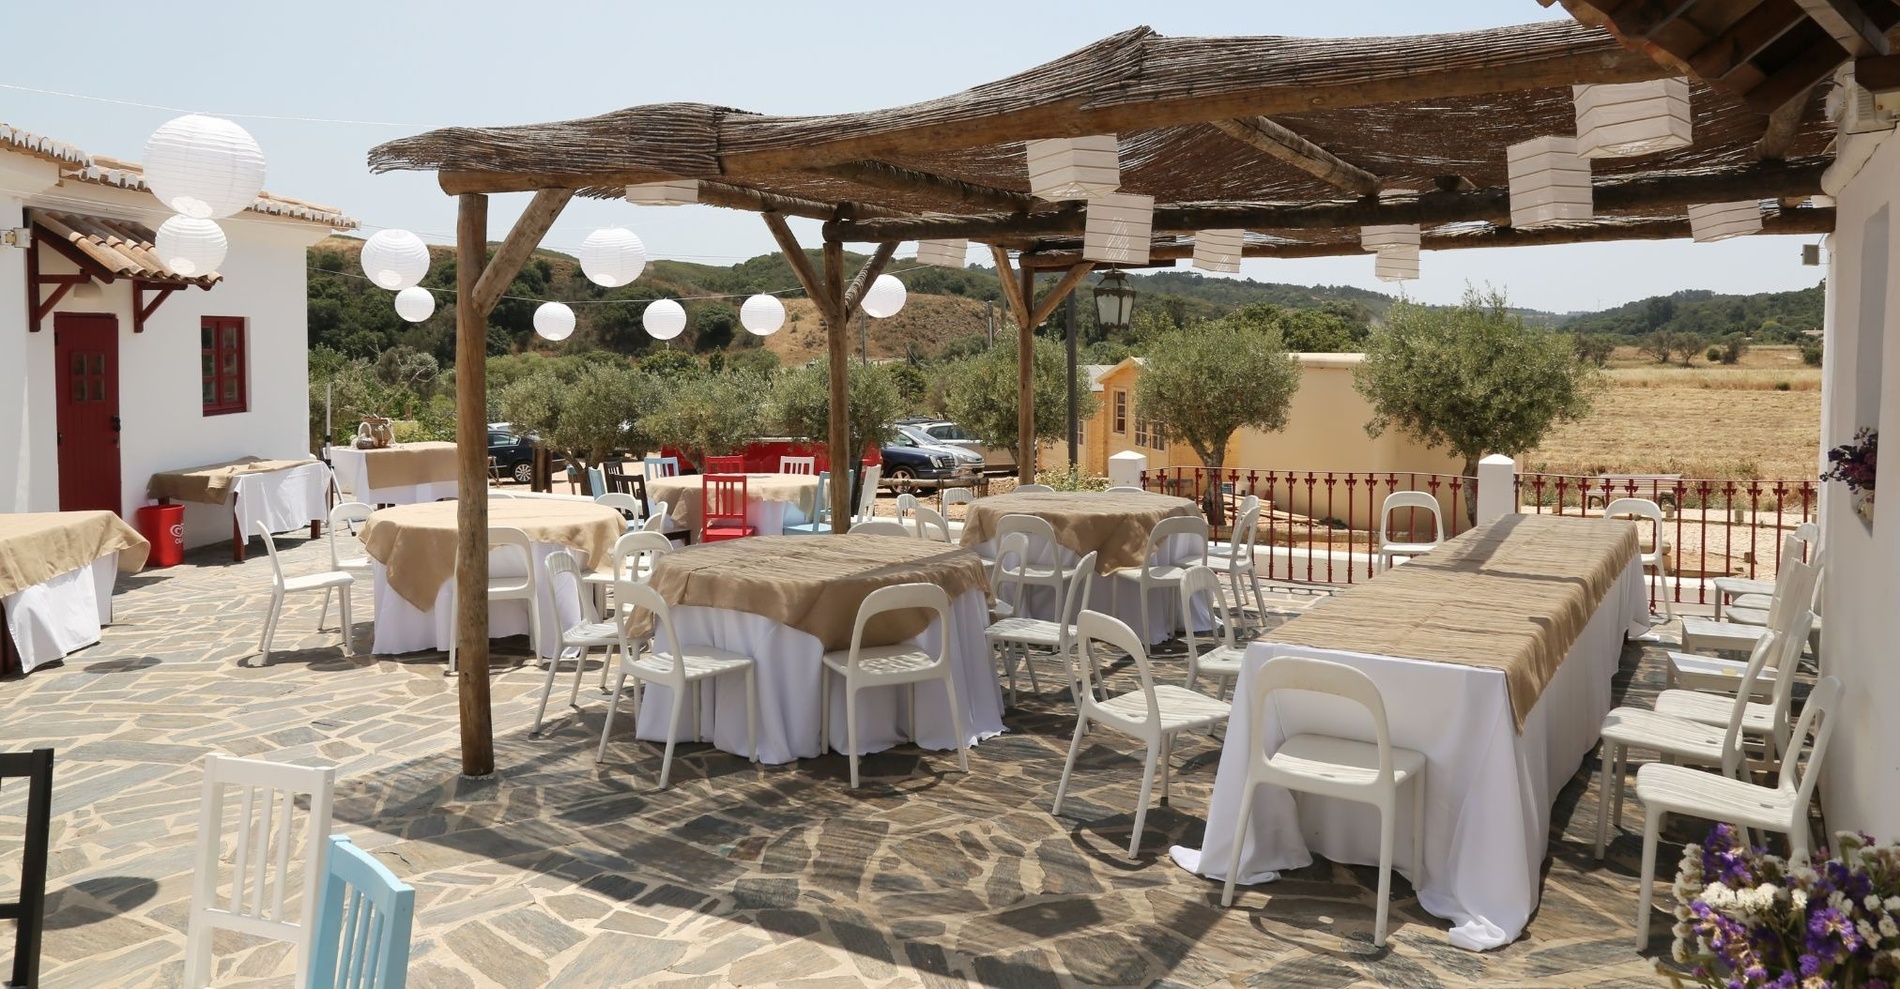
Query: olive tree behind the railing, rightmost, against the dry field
{"type": "Point", "coordinates": [1472, 379]}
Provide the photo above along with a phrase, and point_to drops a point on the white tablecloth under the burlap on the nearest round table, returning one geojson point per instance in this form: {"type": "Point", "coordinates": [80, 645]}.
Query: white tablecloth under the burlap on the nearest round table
{"type": "Point", "coordinates": [789, 684]}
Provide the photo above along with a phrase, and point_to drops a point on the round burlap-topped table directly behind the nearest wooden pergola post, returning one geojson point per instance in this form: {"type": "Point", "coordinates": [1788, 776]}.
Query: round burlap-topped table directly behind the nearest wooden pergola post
{"type": "Point", "coordinates": [413, 557]}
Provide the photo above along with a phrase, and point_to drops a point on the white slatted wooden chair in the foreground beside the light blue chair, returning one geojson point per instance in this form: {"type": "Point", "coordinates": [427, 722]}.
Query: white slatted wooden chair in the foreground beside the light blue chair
{"type": "Point", "coordinates": [271, 848]}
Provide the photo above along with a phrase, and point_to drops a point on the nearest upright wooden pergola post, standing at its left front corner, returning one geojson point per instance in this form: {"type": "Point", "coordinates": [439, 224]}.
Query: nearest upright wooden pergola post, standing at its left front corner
{"type": "Point", "coordinates": [472, 491]}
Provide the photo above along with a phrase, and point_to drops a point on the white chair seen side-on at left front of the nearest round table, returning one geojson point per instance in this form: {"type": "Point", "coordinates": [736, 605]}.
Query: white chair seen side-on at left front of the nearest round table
{"type": "Point", "coordinates": [674, 667]}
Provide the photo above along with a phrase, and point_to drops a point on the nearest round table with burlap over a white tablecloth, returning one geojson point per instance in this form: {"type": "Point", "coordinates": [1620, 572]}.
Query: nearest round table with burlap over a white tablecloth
{"type": "Point", "coordinates": [786, 601]}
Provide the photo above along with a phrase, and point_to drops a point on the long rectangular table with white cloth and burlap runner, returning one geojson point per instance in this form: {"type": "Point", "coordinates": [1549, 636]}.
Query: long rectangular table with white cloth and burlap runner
{"type": "Point", "coordinates": [1494, 656]}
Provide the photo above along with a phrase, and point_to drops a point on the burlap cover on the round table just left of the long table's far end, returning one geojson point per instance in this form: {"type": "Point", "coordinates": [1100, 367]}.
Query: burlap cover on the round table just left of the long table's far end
{"type": "Point", "coordinates": [1114, 525]}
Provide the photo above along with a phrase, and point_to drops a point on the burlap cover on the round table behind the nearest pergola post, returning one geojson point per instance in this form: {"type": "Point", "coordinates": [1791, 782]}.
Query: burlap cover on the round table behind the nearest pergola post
{"type": "Point", "coordinates": [417, 544]}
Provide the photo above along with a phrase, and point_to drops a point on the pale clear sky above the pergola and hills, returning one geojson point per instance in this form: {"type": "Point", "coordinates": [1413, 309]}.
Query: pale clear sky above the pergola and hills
{"type": "Point", "coordinates": [428, 64]}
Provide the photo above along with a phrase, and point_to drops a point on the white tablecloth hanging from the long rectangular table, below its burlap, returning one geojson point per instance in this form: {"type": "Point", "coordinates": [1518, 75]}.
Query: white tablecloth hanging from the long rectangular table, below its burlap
{"type": "Point", "coordinates": [1489, 789]}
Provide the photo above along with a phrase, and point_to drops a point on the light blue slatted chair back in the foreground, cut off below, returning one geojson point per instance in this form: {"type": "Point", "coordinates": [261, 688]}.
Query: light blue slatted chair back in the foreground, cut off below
{"type": "Point", "coordinates": [364, 924]}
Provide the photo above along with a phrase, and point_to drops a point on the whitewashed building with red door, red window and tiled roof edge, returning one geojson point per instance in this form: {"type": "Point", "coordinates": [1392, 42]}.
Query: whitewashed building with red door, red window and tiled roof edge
{"type": "Point", "coordinates": [113, 367]}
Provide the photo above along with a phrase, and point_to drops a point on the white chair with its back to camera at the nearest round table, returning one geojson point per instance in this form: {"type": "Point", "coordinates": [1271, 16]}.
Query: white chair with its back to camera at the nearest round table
{"type": "Point", "coordinates": [905, 663]}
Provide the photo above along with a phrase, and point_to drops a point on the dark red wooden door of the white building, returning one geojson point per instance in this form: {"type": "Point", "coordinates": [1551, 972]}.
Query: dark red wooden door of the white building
{"type": "Point", "coordinates": [86, 367]}
